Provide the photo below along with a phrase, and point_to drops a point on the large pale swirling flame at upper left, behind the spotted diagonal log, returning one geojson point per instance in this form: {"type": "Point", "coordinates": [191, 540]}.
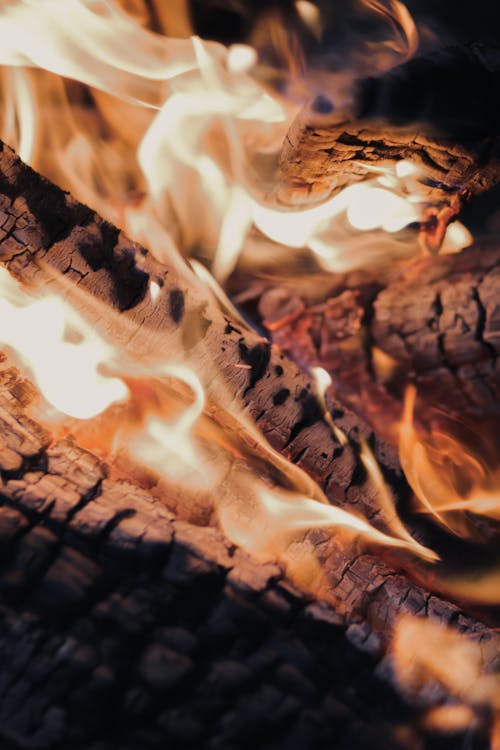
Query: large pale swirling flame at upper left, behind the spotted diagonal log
{"type": "Point", "coordinates": [180, 128]}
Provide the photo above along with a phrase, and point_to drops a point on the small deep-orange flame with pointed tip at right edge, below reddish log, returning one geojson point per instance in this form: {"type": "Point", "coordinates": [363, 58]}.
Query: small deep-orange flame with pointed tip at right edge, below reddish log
{"type": "Point", "coordinates": [447, 477]}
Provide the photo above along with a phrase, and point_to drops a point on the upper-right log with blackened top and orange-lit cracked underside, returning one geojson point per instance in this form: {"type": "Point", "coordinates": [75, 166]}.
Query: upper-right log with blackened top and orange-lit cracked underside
{"type": "Point", "coordinates": [430, 111]}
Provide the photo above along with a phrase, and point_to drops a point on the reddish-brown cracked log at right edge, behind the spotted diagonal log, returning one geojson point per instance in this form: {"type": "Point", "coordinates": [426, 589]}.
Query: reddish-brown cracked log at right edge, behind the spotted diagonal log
{"type": "Point", "coordinates": [436, 325]}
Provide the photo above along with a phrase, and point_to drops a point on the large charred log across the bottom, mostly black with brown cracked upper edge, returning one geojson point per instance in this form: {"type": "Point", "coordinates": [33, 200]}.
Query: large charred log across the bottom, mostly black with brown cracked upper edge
{"type": "Point", "coordinates": [124, 626]}
